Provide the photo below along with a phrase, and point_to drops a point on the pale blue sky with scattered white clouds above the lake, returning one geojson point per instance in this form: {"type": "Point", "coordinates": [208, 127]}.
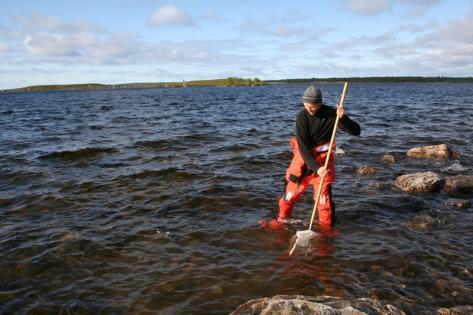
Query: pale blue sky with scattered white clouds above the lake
{"type": "Point", "coordinates": [123, 41]}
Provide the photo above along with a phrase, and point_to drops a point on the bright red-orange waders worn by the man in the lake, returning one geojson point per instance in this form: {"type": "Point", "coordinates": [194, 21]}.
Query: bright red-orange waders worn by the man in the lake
{"type": "Point", "coordinates": [297, 183]}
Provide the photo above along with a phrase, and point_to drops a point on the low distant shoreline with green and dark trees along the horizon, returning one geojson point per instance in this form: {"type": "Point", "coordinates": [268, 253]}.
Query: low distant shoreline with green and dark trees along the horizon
{"type": "Point", "coordinates": [240, 82]}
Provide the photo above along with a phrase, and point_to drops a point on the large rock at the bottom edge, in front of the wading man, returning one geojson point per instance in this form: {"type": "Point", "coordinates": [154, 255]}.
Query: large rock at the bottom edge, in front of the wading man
{"type": "Point", "coordinates": [299, 304]}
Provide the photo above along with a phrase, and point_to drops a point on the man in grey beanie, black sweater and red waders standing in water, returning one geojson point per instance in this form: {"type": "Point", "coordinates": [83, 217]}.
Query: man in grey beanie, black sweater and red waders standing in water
{"type": "Point", "coordinates": [314, 127]}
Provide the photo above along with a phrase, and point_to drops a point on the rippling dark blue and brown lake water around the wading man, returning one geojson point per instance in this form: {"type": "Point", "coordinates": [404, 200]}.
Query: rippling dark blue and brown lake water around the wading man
{"type": "Point", "coordinates": [123, 201]}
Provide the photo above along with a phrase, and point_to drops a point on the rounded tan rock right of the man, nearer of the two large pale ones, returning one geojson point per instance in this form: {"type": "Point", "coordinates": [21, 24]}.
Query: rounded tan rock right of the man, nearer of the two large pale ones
{"type": "Point", "coordinates": [418, 182]}
